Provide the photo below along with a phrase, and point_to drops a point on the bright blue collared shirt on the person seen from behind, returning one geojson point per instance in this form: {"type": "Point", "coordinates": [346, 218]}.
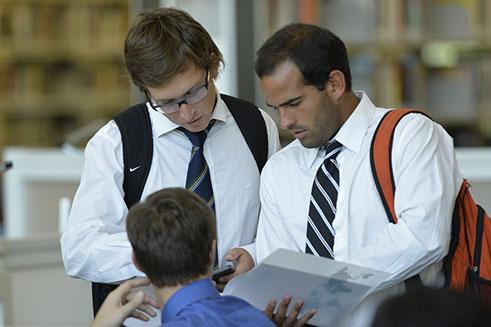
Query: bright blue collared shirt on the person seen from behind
{"type": "Point", "coordinates": [200, 304]}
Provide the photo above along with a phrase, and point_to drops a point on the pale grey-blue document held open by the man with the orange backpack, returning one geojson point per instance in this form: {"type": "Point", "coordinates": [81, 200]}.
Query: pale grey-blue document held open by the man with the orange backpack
{"type": "Point", "coordinates": [332, 288]}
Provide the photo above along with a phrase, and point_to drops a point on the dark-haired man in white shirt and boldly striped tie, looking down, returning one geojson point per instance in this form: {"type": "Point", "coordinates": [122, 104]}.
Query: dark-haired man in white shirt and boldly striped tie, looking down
{"type": "Point", "coordinates": [318, 195]}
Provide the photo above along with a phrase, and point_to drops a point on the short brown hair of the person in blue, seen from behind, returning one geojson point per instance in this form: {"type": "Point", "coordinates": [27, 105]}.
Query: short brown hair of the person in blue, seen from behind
{"type": "Point", "coordinates": [172, 233]}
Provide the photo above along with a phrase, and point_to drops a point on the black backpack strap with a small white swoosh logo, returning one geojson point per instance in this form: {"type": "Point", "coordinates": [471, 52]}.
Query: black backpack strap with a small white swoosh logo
{"type": "Point", "coordinates": [136, 136]}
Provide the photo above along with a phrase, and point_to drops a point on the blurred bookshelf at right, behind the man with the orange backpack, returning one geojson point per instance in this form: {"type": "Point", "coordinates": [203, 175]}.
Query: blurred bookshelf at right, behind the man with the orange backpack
{"type": "Point", "coordinates": [434, 55]}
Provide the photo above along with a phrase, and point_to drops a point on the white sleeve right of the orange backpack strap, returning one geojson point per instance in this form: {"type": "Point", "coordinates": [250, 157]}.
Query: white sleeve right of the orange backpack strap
{"type": "Point", "coordinates": [427, 182]}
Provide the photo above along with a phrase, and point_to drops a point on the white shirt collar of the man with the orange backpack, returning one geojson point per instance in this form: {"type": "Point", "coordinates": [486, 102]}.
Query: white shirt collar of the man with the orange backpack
{"type": "Point", "coordinates": [351, 134]}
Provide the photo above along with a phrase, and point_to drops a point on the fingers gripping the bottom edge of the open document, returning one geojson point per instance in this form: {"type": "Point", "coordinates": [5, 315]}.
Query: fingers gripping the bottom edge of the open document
{"type": "Point", "coordinates": [281, 320]}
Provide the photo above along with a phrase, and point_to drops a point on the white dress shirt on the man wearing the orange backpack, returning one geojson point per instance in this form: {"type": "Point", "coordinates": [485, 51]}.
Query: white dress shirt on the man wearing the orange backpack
{"type": "Point", "coordinates": [427, 182]}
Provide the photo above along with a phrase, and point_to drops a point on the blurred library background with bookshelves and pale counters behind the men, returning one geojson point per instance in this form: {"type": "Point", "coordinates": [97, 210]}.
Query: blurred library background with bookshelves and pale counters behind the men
{"type": "Point", "coordinates": [62, 77]}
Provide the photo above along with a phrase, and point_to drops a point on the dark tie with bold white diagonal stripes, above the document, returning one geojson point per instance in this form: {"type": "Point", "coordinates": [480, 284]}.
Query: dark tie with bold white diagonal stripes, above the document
{"type": "Point", "coordinates": [320, 232]}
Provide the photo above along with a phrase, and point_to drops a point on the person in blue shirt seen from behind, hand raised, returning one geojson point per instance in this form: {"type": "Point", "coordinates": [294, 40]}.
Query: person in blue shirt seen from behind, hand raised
{"type": "Point", "coordinates": [173, 237]}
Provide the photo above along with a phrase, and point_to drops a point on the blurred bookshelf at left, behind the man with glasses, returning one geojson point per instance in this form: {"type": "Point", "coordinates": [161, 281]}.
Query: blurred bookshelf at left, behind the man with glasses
{"type": "Point", "coordinates": [61, 67]}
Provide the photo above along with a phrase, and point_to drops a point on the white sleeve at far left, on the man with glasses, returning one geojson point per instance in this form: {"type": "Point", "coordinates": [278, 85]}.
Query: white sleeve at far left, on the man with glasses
{"type": "Point", "coordinates": [94, 243]}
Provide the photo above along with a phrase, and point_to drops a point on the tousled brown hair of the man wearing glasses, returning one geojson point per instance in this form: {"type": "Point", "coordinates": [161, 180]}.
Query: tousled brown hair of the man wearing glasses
{"type": "Point", "coordinates": [163, 42]}
